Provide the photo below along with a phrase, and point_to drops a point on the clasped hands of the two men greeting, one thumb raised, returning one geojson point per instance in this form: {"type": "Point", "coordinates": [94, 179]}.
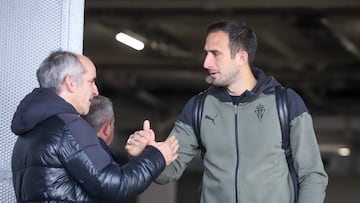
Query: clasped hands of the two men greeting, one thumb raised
{"type": "Point", "coordinates": [140, 139]}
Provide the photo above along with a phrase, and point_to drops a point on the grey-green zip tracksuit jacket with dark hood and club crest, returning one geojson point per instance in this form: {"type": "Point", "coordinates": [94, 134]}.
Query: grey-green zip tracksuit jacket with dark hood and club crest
{"type": "Point", "coordinates": [244, 161]}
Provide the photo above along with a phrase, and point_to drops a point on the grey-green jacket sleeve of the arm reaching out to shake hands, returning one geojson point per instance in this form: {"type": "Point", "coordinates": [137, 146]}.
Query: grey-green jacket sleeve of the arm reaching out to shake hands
{"type": "Point", "coordinates": [188, 146]}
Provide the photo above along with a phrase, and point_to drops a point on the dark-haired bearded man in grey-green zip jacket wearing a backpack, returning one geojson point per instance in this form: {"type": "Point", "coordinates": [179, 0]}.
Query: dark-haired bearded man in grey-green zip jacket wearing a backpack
{"type": "Point", "coordinates": [244, 160]}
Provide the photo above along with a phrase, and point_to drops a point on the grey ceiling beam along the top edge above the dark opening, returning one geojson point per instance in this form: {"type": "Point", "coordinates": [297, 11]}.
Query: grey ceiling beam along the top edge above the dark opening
{"type": "Point", "coordinates": [224, 4]}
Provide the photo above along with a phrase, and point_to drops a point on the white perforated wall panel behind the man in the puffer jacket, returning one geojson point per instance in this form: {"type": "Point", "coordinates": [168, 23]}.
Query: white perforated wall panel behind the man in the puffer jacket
{"type": "Point", "coordinates": [29, 31]}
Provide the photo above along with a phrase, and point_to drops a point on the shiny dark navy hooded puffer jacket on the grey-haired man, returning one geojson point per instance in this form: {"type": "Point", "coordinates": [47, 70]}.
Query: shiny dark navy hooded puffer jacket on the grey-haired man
{"type": "Point", "coordinates": [57, 157]}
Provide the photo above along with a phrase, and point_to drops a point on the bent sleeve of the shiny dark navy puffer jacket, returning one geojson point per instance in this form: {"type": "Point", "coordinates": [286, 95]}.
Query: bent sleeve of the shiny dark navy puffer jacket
{"type": "Point", "coordinates": [87, 162]}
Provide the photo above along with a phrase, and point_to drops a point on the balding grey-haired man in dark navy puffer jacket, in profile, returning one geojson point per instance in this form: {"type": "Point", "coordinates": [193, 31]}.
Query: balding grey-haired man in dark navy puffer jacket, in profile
{"type": "Point", "coordinates": [57, 156]}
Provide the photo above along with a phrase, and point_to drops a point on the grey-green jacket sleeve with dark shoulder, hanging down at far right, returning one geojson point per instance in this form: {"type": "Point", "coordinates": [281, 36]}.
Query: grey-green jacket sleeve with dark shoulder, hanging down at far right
{"type": "Point", "coordinates": [313, 179]}
